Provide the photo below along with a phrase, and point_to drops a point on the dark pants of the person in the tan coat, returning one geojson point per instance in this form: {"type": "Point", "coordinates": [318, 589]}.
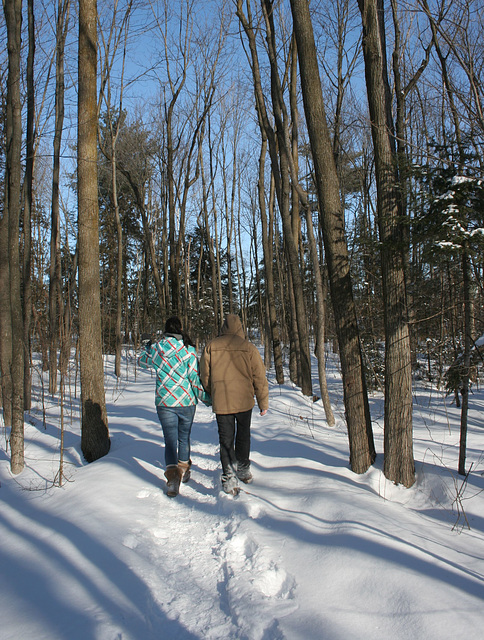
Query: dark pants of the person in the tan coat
{"type": "Point", "coordinates": [234, 428]}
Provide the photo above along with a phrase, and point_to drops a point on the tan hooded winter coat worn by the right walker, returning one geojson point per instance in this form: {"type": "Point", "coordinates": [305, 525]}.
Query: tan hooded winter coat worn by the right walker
{"type": "Point", "coordinates": [232, 371]}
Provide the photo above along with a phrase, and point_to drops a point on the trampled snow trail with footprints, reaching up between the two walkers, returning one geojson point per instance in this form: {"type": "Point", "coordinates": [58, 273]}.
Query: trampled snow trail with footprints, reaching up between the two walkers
{"type": "Point", "coordinates": [219, 556]}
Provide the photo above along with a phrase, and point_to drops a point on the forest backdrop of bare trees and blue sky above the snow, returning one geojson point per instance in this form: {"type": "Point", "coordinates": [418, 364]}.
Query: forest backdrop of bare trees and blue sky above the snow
{"type": "Point", "coordinates": [314, 167]}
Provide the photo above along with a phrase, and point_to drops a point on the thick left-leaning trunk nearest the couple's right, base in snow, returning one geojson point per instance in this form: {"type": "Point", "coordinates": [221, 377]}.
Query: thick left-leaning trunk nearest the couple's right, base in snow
{"type": "Point", "coordinates": [362, 449]}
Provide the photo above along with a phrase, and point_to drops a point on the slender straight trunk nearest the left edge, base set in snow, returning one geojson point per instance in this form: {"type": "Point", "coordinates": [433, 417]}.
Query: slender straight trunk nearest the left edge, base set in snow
{"type": "Point", "coordinates": [13, 21]}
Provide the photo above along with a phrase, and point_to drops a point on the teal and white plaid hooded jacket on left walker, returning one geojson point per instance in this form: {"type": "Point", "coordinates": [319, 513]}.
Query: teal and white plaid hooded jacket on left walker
{"type": "Point", "coordinates": [177, 373]}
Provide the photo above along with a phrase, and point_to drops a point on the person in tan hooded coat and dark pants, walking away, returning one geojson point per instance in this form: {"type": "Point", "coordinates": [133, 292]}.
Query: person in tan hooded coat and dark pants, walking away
{"type": "Point", "coordinates": [232, 372]}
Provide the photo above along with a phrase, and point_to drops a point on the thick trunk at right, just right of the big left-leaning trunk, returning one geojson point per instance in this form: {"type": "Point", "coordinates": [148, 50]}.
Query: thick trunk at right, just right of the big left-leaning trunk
{"type": "Point", "coordinates": [398, 465]}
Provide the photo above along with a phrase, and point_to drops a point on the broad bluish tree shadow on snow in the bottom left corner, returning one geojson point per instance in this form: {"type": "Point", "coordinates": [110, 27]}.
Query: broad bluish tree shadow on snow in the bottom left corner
{"type": "Point", "coordinates": [93, 568]}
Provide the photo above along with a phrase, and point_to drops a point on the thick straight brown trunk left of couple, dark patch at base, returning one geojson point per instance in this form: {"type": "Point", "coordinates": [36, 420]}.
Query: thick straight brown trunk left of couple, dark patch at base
{"type": "Point", "coordinates": [94, 427]}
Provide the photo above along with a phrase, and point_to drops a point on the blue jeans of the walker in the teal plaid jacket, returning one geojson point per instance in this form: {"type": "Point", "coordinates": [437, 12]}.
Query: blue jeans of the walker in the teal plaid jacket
{"type": "Point", "coordinates": [176, 423]}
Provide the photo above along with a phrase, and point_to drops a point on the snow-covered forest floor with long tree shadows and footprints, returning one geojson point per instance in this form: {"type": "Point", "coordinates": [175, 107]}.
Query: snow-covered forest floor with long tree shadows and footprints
{"type": "Point", "coordinates": [310, 550]}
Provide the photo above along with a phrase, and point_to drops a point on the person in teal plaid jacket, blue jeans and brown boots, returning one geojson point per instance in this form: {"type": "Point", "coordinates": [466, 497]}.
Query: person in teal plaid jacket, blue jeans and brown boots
{"type": "Point", "coordinates": [178, 390]}
